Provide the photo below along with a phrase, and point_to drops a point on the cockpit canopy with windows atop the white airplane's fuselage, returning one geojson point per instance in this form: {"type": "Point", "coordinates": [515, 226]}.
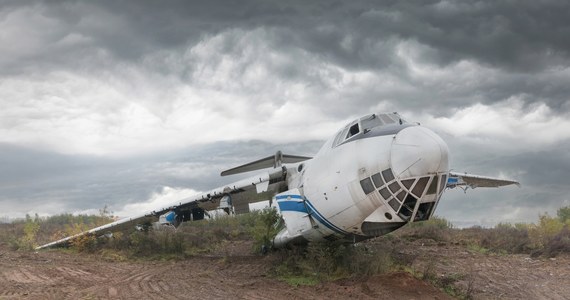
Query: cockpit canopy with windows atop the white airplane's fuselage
{"type": "Point", "coordinates": [355, 129]}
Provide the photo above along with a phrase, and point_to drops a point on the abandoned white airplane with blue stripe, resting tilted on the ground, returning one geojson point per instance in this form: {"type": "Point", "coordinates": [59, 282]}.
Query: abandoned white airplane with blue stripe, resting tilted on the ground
{"type": "Point", "coordinates": [376, 174]}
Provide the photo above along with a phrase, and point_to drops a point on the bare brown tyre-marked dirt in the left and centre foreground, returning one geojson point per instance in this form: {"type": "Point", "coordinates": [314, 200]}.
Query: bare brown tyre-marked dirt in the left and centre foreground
{"type": "Point", "coordinates": [57, 275]}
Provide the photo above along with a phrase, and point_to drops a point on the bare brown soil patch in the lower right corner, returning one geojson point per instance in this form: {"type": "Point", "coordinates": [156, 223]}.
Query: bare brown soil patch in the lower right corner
{"type": "Point", "coordinates": [493, 276]}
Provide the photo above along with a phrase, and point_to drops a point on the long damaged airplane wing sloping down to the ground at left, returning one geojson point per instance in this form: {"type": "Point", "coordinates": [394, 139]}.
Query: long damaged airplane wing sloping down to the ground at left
{"type": "Point", "coordinates": [268, 182]}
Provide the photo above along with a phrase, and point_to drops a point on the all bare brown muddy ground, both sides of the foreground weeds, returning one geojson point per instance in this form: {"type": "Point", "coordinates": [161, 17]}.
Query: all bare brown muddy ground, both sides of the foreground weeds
{"type": "Point", "coordinates": [236, 274]}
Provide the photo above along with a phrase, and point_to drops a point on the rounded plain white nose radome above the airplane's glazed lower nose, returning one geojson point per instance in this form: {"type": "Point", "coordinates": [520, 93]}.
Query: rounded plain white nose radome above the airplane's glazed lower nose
{"type": "Point", "coordinates": [418, 151]}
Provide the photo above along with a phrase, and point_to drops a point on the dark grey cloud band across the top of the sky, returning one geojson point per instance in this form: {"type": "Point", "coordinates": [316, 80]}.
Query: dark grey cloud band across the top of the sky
{"type": "Point", "coordinates": [527, 43]}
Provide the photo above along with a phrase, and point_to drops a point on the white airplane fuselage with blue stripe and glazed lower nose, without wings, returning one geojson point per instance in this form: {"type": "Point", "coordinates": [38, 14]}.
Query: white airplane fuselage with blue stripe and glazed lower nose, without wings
{"type": "Point", "coordinates": [366, 185]}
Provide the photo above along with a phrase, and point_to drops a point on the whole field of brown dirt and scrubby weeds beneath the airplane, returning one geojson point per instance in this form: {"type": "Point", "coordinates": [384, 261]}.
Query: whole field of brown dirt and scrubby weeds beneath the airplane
{"type": "Point", "coordinates": [426, 262]}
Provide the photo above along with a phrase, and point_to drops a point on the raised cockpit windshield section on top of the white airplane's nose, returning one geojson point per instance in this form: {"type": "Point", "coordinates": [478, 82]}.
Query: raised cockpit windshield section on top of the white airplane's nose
{"type": "Point", "coordinates": [366, 124]}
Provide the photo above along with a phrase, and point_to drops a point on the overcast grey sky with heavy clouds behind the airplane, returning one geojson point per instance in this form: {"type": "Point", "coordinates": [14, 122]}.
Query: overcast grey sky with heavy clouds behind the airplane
{"type": "Point", "coordinates": [123, 102]}
